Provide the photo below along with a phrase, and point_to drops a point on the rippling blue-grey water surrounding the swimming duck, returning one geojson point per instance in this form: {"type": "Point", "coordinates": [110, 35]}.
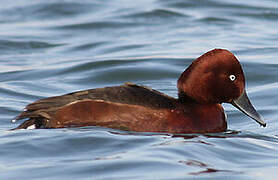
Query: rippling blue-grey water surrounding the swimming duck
{"type": "Point", "coordinates": [54, 47]}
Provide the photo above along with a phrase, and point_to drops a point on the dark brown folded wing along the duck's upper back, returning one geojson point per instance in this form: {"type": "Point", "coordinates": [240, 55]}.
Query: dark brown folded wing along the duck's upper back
{"type": "Point", "coordinates": [126, 94]}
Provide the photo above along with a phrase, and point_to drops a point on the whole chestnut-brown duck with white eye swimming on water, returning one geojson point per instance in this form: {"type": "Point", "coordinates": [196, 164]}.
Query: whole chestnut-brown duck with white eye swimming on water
{"type": "Point", "coordinates": [214, 78]}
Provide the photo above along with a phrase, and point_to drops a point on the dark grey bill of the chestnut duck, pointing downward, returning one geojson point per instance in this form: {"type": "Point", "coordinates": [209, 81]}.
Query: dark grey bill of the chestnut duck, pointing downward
{"type": "Point", "coordinates": [243, 104]}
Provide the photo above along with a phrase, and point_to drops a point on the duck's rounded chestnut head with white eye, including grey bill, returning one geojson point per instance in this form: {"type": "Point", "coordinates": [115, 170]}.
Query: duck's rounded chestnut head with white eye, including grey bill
{"type": "Point", "coordinates": [217, 77]}
